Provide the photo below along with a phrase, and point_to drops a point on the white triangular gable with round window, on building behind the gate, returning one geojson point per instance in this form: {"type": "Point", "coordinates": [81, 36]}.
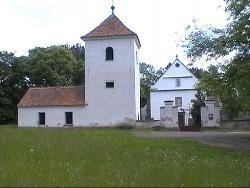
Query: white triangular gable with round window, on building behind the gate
{"type": "Point", "coordinates": [177, 72]}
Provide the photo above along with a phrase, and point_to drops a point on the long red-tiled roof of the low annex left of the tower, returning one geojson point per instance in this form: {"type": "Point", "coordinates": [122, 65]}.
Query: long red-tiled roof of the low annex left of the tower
{"type": "Point", "coordinates": [53, 96]}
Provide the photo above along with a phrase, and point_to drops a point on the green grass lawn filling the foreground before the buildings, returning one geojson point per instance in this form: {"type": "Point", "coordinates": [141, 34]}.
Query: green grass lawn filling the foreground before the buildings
{"type": "Point", "coordinates": [79, 157]}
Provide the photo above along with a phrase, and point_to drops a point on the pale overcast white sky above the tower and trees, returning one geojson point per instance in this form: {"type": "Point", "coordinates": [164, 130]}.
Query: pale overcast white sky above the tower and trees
{"type": "Point", "coordinates": [160, 24]}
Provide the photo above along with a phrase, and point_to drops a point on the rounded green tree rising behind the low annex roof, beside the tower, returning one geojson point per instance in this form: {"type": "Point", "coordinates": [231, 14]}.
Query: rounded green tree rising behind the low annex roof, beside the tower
{"type": "Point", "coordinates": [54, 66]}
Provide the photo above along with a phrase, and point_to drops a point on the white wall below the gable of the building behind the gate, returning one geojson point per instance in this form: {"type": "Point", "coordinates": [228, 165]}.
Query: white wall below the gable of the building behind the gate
{"type": "Point", "coordinates": [157, 100]}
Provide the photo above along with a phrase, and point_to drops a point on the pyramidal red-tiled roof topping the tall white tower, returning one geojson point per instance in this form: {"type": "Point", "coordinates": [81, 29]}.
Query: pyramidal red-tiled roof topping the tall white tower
{"type": "Point", "coordinates": [110, 27]}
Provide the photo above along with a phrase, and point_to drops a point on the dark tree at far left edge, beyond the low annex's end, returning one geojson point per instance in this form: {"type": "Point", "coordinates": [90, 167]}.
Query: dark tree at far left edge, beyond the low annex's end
{"type": "Point", "coordinates": [13, 84]}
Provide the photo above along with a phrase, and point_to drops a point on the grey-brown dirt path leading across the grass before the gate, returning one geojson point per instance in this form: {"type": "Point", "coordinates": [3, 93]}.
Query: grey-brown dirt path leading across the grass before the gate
{"type": "Point", "coordinates": [233, 140]}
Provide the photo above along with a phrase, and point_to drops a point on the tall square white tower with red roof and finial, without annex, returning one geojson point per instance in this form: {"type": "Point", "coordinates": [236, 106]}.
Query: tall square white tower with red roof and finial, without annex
{"type": "Point", "coordinates": [112, 80]}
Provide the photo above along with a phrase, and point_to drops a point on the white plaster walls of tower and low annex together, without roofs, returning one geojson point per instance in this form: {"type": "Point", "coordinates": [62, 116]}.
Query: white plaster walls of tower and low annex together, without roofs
{"type": "Point", "coordinates": [103, 106]}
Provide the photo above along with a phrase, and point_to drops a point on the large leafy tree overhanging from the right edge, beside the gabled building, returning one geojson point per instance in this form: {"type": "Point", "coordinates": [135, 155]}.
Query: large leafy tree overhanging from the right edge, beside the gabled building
{"type": "Point", "coordinates": [231, 83]}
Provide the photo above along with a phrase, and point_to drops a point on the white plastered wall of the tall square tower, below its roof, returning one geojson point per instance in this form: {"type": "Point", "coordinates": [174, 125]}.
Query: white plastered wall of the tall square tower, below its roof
{"type": "Point", "coordinates": [119, 102]}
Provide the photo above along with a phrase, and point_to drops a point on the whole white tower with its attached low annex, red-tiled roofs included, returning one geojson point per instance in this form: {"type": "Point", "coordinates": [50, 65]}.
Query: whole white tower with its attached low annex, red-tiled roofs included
{"type": "Point", "coordinates": [111, 94]}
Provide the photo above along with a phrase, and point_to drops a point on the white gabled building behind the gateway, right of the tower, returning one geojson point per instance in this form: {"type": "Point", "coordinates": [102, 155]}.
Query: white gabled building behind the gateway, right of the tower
{"type": "Point", "coordinates": [176, 84]}
